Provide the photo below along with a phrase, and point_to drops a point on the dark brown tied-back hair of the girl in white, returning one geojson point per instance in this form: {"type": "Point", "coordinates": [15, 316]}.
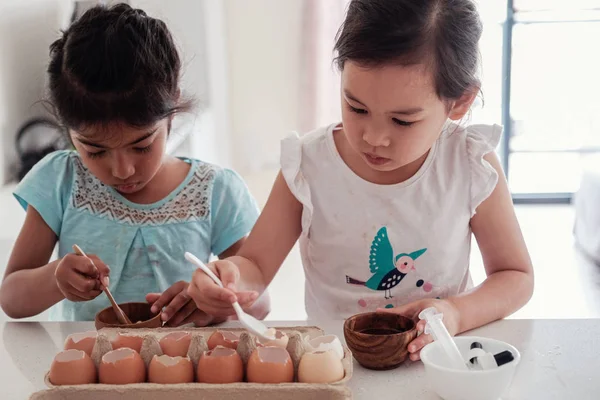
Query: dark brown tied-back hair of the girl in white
{"type": "Point", "coordinates": [443, 34]}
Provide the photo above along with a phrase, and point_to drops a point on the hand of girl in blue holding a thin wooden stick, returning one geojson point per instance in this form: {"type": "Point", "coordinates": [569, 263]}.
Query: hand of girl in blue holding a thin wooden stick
{"type": "Point", "coordinates": [78, 279]}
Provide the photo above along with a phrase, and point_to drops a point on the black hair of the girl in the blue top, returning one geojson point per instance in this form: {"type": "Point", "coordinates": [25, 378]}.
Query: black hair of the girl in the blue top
{"type": "Point", "coordinates": [114, 65]}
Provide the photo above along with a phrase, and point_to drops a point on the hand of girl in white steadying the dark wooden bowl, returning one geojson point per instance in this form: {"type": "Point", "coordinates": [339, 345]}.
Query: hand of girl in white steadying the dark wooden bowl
{"type": "Point", "coordinates": [412, 310]}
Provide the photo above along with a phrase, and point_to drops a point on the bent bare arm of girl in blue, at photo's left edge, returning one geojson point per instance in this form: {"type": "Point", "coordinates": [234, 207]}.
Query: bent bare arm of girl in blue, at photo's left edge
{"type": "Point", "coordinates": [29, 286]}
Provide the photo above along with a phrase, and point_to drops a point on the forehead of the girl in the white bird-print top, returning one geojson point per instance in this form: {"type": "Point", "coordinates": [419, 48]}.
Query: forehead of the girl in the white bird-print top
{"type": "Point", "coordinates": [390, 85]}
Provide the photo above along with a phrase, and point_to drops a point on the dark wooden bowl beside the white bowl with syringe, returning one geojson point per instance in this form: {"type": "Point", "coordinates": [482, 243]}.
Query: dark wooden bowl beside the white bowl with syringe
{"type": "Point", "coordinates": [379, 341]}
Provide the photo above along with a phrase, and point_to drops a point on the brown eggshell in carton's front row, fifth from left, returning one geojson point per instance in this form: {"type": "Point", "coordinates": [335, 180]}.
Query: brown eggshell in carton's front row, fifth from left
{"type": "Point", "coordinates": [270, 365]}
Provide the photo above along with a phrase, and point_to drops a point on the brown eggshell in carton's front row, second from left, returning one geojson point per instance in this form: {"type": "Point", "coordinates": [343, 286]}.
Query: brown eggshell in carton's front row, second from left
{"type": "Point", "coordinates": [121, 367]}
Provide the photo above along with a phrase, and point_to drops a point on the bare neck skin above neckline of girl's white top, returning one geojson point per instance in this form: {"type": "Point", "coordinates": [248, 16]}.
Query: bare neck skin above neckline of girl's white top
{"type": "Point", "coordinates": [361, 169]}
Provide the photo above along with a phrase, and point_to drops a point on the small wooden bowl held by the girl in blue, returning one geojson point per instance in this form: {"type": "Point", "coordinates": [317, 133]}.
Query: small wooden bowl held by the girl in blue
{"type": "Point", "coordinates": [135, 311]}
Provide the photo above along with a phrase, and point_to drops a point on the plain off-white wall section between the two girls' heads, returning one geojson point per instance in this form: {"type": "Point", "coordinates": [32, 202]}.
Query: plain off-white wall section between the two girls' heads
{"type": "Point", "coordinates": [264, 44]}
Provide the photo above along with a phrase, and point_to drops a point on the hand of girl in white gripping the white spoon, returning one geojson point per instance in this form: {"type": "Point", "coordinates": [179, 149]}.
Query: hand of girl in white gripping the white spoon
{"type": "Point", "coordinates": [214, 300]}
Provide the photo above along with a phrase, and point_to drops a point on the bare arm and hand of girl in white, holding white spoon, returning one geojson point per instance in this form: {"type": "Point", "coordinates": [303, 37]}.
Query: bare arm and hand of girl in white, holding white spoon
{"type": "Point", "coordinates": [260, 257]}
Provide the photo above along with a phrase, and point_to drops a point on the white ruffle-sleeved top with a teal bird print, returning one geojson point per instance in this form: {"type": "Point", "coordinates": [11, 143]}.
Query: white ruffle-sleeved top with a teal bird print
{"type": "Point", "coordinates": [365, 245]}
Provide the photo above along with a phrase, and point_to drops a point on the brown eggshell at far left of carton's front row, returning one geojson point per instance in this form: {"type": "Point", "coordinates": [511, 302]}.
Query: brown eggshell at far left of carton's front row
{"type": "Point", "coordinates": [72, 367]}
